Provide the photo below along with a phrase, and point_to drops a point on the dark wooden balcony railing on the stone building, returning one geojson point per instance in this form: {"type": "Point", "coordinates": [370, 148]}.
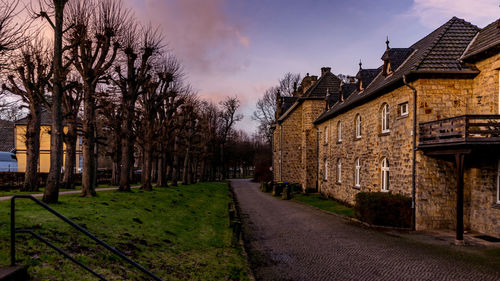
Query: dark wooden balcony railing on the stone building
{"type": "Point", "coordinates": [467, 129]}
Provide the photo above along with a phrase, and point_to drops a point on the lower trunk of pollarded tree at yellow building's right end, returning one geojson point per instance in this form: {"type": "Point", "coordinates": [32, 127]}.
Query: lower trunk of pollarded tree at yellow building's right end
{"type": "Point", "coordinates": [88, 188]}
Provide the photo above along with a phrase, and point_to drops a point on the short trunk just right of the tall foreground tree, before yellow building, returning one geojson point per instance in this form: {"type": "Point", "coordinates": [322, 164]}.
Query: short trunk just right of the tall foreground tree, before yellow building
{"type": "Point", "coordinates": [70, 161]}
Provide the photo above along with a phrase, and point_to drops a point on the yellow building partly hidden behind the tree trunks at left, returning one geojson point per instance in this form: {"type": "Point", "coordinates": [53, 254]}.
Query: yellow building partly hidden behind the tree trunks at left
{"type": "Point", "coordinates": [44, 159]}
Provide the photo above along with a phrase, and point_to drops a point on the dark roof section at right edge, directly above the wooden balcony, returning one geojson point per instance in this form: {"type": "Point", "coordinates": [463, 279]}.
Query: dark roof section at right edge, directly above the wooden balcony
{"type": "Point", "coordinates": [488, 38]}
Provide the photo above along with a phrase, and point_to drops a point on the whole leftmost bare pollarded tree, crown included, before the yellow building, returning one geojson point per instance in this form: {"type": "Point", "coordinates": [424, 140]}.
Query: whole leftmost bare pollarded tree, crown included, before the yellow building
{"type": "Point", "coordinates": [29, 81]}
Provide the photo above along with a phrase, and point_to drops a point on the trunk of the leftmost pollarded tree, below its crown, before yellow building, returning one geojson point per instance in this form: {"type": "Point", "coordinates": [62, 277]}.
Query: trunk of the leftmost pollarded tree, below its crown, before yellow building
{"type": "Point", "coordinates": [32, 150]}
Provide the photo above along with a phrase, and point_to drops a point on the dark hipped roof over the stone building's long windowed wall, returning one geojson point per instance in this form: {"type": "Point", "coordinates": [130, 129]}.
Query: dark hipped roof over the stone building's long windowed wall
{"type": "Point", "coordinates": [436, 53]}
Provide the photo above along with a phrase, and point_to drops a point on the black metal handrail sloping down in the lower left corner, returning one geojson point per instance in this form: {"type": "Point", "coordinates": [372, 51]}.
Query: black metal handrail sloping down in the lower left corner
{"type": "Point", "coordinates": [74, 225]}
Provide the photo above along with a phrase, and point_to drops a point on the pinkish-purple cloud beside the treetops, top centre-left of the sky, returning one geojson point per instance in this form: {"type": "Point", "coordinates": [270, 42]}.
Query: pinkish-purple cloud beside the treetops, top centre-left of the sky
{"type": "Point", "coordinates": [198, 31]}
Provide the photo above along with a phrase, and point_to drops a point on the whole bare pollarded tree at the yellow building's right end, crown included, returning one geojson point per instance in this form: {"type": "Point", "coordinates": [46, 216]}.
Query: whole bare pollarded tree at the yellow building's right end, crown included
{"type": "Point", "coordinates": [95, 29]}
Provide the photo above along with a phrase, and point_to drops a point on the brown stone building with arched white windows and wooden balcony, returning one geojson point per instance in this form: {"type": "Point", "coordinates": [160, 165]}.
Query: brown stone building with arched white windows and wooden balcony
{"type": "Point", "coordinates": [426, 124]}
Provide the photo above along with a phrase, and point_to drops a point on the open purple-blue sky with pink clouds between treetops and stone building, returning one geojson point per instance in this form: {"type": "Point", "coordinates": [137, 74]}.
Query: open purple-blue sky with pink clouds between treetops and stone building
{"type": "Point", "coordinates": [242, 47]}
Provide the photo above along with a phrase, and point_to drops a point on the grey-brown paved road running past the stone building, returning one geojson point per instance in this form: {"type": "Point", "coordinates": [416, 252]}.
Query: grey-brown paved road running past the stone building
{"type": "Point", "coordinates": [290, 241]}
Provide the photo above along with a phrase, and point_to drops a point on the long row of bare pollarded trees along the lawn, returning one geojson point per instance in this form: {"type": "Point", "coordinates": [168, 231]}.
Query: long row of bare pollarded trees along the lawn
{"type": "Point", "coordinates": [108, 78]}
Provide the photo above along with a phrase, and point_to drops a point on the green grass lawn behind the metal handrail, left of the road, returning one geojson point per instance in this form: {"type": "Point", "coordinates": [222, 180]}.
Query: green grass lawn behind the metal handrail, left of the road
{"type": "Point", "coordinates": [179, 233]}
